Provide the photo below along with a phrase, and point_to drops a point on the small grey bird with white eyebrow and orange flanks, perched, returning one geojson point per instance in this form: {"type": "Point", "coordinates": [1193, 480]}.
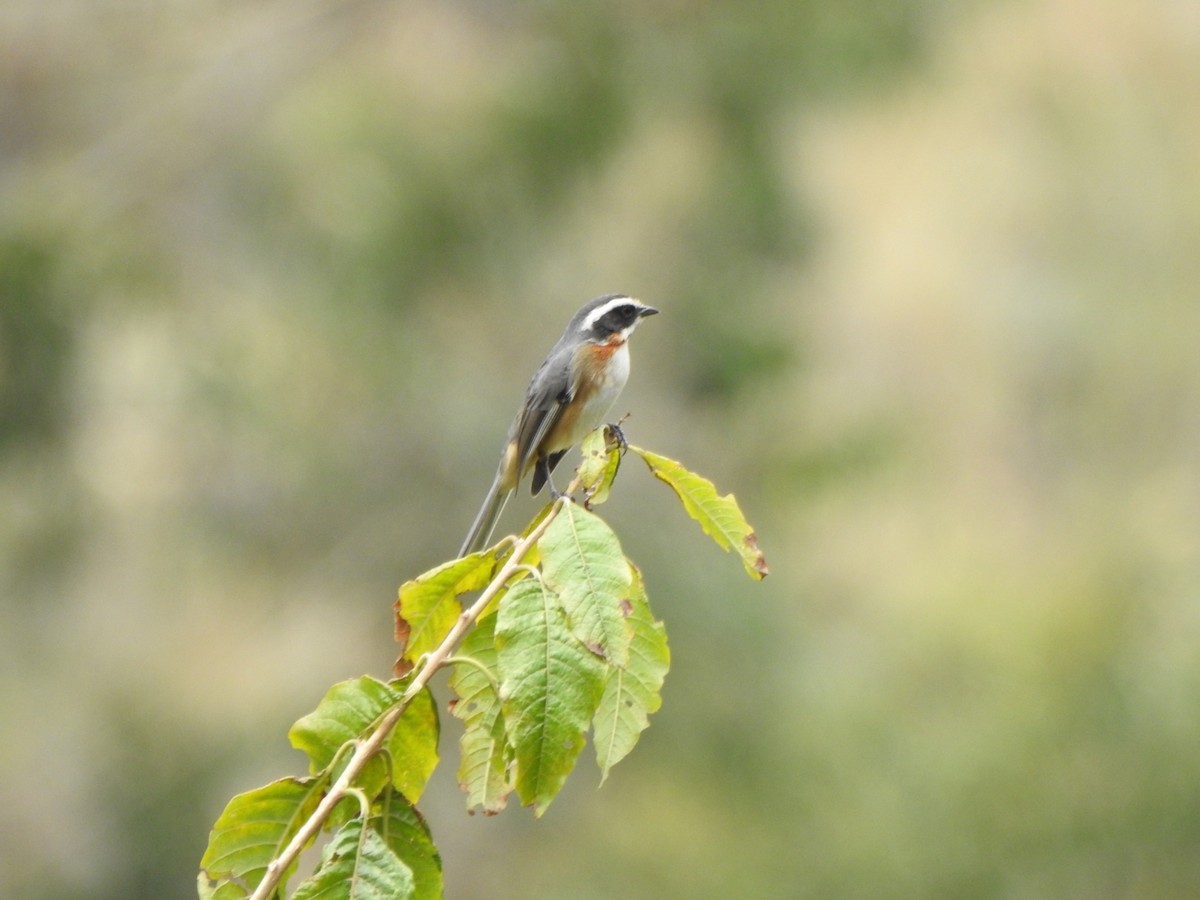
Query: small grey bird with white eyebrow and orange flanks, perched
{"type": "Point", "coordinates": [569, 397]}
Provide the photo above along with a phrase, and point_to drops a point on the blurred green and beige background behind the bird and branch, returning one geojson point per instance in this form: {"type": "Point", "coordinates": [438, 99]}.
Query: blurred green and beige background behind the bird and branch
{"type": "Point", "coordinates": [274, 278]}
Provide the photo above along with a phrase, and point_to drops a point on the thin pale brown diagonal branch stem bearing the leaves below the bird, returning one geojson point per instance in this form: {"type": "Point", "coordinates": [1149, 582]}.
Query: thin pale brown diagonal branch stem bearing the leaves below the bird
{"type": "Point", "coordinates": [367, 748]}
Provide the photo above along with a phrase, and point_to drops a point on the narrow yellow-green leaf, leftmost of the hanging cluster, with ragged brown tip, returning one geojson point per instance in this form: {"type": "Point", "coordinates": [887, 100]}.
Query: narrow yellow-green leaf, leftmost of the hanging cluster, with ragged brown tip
{"type": "Point", "coordinates": [485, 755]}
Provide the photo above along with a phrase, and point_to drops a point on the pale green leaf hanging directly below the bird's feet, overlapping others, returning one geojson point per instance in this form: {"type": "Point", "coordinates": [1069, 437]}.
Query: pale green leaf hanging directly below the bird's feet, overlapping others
{"type": "Point", "coordinates": [584, 565]}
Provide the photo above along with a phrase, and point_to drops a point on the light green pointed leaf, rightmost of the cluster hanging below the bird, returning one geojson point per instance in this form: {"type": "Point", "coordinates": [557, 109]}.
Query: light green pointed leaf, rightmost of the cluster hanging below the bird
{"type": "Point", "coordinates": [632, 693]}
